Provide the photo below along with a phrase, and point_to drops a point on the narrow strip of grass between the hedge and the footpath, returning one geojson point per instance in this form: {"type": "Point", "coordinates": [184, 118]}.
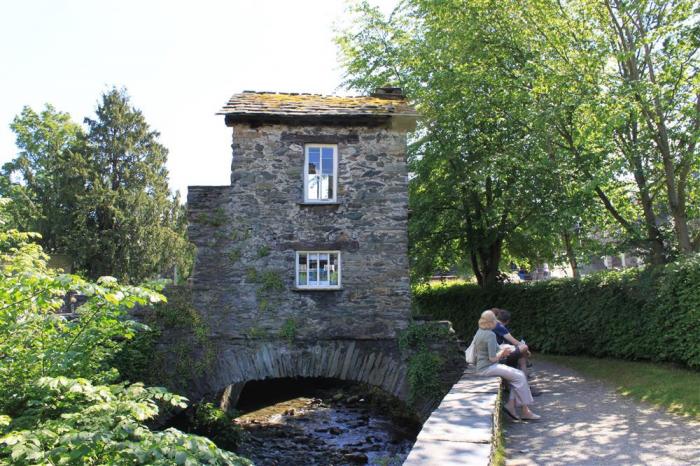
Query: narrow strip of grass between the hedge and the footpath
{"type": "Point", "coordinates": [666, 385]}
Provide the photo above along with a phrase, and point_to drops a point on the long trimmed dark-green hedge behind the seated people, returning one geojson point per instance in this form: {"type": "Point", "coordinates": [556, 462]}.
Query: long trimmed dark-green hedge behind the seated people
{"type": "Point", "coordinates": [652, 314]}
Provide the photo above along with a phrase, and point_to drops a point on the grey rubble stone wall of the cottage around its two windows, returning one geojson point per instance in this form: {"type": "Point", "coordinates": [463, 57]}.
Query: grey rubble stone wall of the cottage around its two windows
{"type": "Point", "coordinates": [247, 234]}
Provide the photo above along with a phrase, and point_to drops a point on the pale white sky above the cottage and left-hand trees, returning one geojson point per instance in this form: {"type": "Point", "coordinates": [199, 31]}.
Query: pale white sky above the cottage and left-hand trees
{"type": "Point", "coordinates": [179, 61]}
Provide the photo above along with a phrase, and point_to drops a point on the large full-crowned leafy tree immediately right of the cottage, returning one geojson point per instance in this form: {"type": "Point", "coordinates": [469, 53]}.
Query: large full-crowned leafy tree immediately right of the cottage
{"type": "Point", "coordinates": [483, 179]}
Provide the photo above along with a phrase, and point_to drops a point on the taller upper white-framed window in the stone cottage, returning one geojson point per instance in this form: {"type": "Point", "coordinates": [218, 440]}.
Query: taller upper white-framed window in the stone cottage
{"type": "Point", "coordinates": [320, 173]}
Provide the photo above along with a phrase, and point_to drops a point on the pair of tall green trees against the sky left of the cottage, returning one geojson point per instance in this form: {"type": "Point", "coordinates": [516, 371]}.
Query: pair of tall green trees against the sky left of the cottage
{"type": "Point", "coordinates": [99, 196]}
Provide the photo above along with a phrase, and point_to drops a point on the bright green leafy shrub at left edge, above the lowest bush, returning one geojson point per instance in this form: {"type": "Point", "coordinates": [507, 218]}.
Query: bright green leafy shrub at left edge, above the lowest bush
{"type": "Point", "coordinates": [38, 342]}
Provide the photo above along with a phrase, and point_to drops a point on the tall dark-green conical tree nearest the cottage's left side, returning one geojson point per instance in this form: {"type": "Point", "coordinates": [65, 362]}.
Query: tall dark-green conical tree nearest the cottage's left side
{"type": "Point", "coordinates": [133, 227]}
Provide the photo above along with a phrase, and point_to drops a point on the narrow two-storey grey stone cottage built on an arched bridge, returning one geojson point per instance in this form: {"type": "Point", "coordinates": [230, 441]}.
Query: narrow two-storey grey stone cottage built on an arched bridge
{"type": "Point", "coordinates": [301, 265]}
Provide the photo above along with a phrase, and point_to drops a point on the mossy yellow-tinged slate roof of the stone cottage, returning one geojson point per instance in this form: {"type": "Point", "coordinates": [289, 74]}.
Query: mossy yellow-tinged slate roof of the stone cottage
{"type": "Point", "coordinates": [300, 105]}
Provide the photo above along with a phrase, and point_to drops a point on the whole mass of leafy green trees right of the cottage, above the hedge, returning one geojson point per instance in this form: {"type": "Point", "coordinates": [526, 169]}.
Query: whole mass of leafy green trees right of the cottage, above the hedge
{"type": "Point", "coordinates": [546, 125]}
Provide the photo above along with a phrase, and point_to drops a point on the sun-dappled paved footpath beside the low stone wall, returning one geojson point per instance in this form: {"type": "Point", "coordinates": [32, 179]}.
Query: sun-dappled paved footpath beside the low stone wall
{"type": "Point", "coordinates": [585, 422]}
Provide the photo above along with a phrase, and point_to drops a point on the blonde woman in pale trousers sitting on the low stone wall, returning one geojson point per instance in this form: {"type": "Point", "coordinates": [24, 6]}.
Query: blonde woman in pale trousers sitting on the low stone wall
{"type": "Point", "coordinates": [488, 355]}
